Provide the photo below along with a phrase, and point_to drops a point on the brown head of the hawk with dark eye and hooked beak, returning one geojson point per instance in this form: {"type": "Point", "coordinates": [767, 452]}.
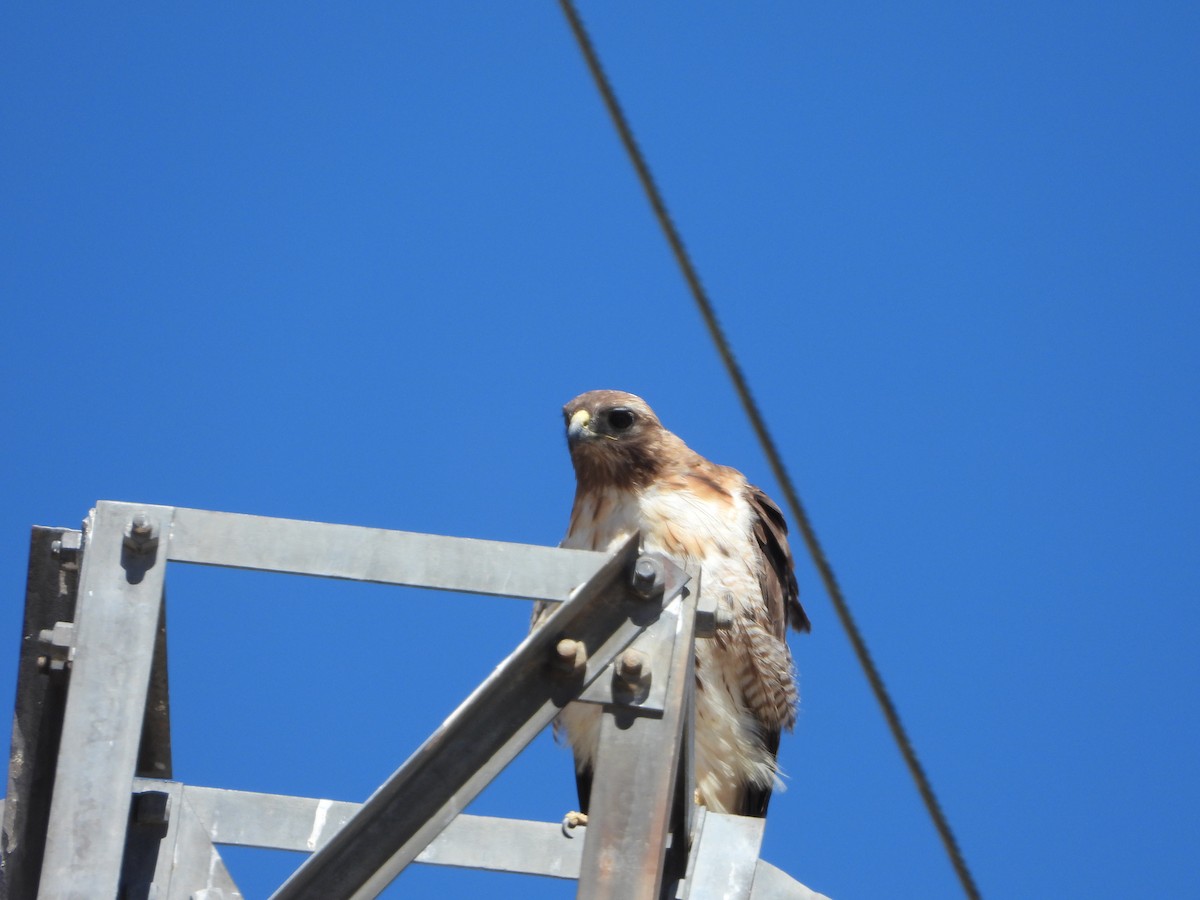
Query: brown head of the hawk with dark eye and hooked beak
{"type": "Point", "coordinates": [616, 441]}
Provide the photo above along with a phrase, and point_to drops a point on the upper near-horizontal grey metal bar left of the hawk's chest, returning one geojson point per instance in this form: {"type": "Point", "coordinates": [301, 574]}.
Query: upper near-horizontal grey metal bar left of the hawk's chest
{"type": "Point", "coordinates": [374, 555]}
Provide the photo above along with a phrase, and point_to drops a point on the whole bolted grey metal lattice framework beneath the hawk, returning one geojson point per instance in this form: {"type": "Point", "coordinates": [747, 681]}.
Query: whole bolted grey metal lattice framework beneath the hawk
{"type": "Point", "coordinates": [92, 812]}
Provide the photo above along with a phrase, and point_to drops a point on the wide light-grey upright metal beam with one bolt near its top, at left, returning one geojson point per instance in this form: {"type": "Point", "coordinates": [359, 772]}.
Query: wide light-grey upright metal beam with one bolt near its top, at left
{"type": "Point", "coordinates": [121, 592]}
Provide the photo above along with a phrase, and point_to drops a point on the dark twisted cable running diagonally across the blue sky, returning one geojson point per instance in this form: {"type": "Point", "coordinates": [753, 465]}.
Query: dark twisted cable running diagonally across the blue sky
{"type": "Point", "coordinates": [773, 457]}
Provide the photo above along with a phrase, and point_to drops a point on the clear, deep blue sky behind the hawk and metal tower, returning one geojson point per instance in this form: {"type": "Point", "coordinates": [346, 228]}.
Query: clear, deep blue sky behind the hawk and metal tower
{"type": "Point", "coordinates": [347, 263]}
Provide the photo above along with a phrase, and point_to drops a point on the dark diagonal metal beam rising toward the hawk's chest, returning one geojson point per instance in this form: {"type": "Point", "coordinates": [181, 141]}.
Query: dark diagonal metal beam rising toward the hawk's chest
{"type": "Point", "coordinates": [482, 737]}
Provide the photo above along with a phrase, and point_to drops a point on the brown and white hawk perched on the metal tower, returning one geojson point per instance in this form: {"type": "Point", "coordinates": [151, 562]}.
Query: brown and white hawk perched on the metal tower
{"type": "Point", "coordinates": [633, 475]}
